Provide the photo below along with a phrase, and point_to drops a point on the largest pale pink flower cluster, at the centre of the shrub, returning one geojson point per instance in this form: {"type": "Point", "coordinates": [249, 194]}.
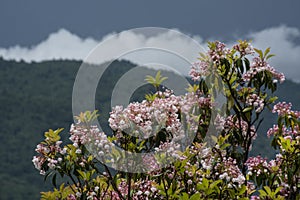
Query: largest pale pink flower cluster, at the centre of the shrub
{"type": "Point", "coordinates": [146, 118]}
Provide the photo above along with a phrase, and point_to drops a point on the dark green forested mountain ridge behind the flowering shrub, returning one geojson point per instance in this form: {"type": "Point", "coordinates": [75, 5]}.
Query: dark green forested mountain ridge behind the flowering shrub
{"type": "Point", "coordinates": [37, 96]}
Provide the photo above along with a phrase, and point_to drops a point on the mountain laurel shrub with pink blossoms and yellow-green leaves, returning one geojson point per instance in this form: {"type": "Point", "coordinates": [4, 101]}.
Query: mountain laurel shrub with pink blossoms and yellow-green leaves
{"type": "Point", "coordinates": [218, 167]}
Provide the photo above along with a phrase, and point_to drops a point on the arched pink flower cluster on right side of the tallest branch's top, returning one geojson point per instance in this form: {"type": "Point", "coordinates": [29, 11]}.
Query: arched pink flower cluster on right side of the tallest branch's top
{"type": "Point", "coordinates": [260, 65]}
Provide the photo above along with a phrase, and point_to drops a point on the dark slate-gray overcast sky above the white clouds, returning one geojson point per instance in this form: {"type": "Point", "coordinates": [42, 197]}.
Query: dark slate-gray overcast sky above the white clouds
{"type": "Point", "coordinates": [29, 22]}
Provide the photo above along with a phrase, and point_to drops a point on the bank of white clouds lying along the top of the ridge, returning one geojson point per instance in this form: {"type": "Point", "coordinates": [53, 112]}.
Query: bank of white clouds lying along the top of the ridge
{"type": "Point", "coordinates": [65, 45]}
